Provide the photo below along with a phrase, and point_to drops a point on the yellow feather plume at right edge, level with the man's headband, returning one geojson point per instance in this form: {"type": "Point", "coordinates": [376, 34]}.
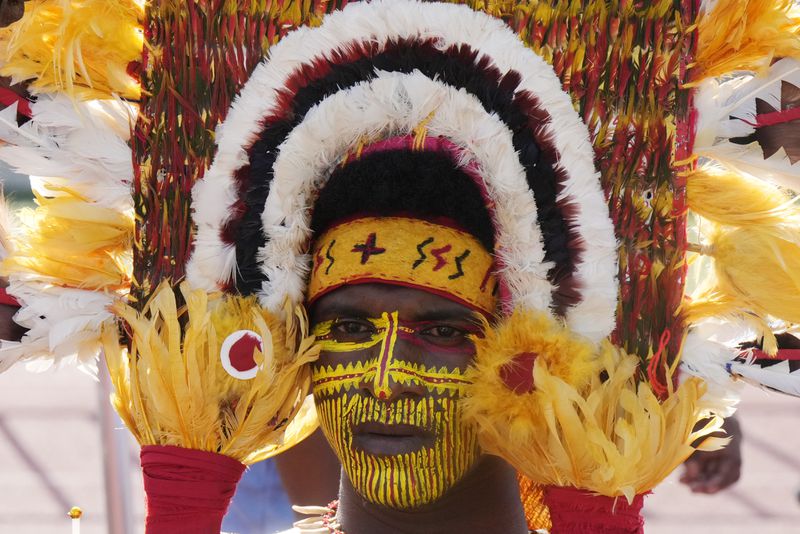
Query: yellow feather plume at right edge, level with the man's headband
{"type": "Point", "coordinates": [750, 232]}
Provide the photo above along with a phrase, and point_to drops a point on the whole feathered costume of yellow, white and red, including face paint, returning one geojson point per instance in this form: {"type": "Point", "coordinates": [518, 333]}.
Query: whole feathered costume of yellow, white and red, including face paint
{"type": "Point", "coordinates": [601, 155]}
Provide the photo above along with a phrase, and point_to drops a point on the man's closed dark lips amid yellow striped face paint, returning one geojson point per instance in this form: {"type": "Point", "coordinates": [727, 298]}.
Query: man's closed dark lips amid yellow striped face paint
{"type": "Point", "coordinates": [381, 439]}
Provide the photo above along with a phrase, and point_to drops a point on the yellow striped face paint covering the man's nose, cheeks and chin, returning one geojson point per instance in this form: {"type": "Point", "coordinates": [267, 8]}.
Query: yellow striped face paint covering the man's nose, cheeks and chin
{"type": "Point", "coordinates": [447, 447]}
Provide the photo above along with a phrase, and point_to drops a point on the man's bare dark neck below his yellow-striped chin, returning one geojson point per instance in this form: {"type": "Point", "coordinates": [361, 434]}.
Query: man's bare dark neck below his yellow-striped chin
{"type": "Point", "coordinates": [486, 501]}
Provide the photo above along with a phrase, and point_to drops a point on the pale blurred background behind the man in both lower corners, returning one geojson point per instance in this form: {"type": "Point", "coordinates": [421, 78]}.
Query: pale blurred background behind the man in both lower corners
{"type": "Point", "coordinates": [61, 445]}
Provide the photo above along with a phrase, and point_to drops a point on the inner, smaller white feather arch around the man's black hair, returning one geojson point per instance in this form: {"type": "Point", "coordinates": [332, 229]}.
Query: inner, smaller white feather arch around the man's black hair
{"type": "Point", "coordinates": [373, 111]}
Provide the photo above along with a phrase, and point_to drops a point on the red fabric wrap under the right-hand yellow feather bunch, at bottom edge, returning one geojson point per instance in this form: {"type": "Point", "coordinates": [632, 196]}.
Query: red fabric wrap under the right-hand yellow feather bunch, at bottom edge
{"type": "Point", "coordinates": [573, 510]}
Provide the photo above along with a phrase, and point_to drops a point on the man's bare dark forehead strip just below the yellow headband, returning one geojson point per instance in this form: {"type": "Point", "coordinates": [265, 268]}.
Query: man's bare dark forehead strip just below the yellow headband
{"type": "Point", "coordinates": [371, 300]}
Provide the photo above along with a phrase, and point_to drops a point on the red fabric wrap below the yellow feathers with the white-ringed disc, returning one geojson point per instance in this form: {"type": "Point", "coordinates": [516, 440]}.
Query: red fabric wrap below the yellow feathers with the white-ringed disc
{"type": "Point", "coordinates": [187, 491]}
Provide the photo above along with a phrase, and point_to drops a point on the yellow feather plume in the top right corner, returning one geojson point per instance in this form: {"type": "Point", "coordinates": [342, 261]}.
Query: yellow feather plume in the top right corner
{"type": "Point", "coordinates": [745, 35]}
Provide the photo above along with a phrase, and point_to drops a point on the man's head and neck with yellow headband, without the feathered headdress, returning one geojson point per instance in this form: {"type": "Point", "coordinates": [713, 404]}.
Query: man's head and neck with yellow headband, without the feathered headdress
{"type": "Point", "coordinates": [389, 381]}
